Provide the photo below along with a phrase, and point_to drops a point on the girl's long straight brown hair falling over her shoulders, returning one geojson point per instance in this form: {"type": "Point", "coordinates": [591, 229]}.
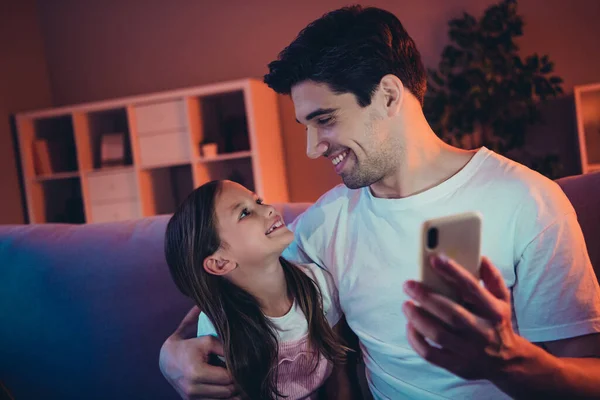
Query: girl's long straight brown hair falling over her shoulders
{"type": "Point", "coordinates": [249, 339]}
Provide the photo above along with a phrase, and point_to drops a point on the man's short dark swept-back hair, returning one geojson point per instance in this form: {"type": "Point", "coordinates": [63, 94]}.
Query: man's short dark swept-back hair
{"type": "Point", "coordinates": [350, 49]}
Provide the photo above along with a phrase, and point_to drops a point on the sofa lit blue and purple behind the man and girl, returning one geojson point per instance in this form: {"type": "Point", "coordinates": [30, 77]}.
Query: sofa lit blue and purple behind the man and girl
{"type": "Point", "coordinates": [84, 309]}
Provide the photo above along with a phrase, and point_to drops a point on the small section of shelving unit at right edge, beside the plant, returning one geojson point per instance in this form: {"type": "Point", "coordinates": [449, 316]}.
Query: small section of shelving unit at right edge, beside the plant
{"type": "Point", "coordinates": [587, 105]}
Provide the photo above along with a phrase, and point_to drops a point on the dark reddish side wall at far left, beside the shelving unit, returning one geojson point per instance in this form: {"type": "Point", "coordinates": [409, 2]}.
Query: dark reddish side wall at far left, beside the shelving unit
{"type": "Point", "coordinates": [24, 85]}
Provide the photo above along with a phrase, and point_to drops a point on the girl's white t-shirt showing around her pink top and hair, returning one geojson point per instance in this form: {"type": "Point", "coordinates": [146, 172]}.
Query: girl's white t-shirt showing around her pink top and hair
{"type": "Point", "coordinates": [293, 325]}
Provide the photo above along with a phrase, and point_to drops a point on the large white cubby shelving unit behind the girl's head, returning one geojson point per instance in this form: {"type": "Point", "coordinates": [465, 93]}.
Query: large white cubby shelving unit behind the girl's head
{"type": "Point", "coordinates": [163, 162]}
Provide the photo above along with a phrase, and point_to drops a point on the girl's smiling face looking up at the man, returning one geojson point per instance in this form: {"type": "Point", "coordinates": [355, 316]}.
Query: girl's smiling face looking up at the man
{"type": "Point", "coordinates": [252, 233]}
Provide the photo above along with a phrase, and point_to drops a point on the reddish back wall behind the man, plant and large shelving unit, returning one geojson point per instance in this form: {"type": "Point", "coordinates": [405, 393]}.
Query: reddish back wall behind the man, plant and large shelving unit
{"type": "Point", "coordinates": [99, 50]}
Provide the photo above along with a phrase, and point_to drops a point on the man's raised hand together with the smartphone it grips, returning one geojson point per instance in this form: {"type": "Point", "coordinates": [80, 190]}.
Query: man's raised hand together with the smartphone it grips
{"type": "Point", "coordinates": [474, 343]}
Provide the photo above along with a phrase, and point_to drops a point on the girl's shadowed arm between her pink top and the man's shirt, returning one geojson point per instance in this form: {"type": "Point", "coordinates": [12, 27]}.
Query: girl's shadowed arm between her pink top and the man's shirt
{"type": "Point", "coordinates": [343, 383]}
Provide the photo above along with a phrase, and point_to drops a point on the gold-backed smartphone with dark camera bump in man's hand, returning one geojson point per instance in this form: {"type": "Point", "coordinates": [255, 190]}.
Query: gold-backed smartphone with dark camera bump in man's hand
{"type": "Point", "coordinates": [459, 238]}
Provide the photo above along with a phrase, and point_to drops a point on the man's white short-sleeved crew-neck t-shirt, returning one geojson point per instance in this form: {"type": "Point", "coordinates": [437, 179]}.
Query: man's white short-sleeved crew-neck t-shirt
{"type": "Point", "coordinates": [371, 246]}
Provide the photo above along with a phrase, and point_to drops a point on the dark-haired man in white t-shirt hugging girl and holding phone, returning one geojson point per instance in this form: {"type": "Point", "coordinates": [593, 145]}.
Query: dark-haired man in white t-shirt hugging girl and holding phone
{"type": "Point", "coordinates": [357, 83]}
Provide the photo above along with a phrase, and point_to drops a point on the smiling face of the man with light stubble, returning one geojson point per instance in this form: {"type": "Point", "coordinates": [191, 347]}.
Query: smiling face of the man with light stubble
{"type": "Point", "coordinates": [356, 139]}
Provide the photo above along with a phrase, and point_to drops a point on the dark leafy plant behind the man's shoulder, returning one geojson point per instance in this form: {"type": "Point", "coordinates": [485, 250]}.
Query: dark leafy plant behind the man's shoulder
{"type": "Point", "coordinates": [483, 92]}
